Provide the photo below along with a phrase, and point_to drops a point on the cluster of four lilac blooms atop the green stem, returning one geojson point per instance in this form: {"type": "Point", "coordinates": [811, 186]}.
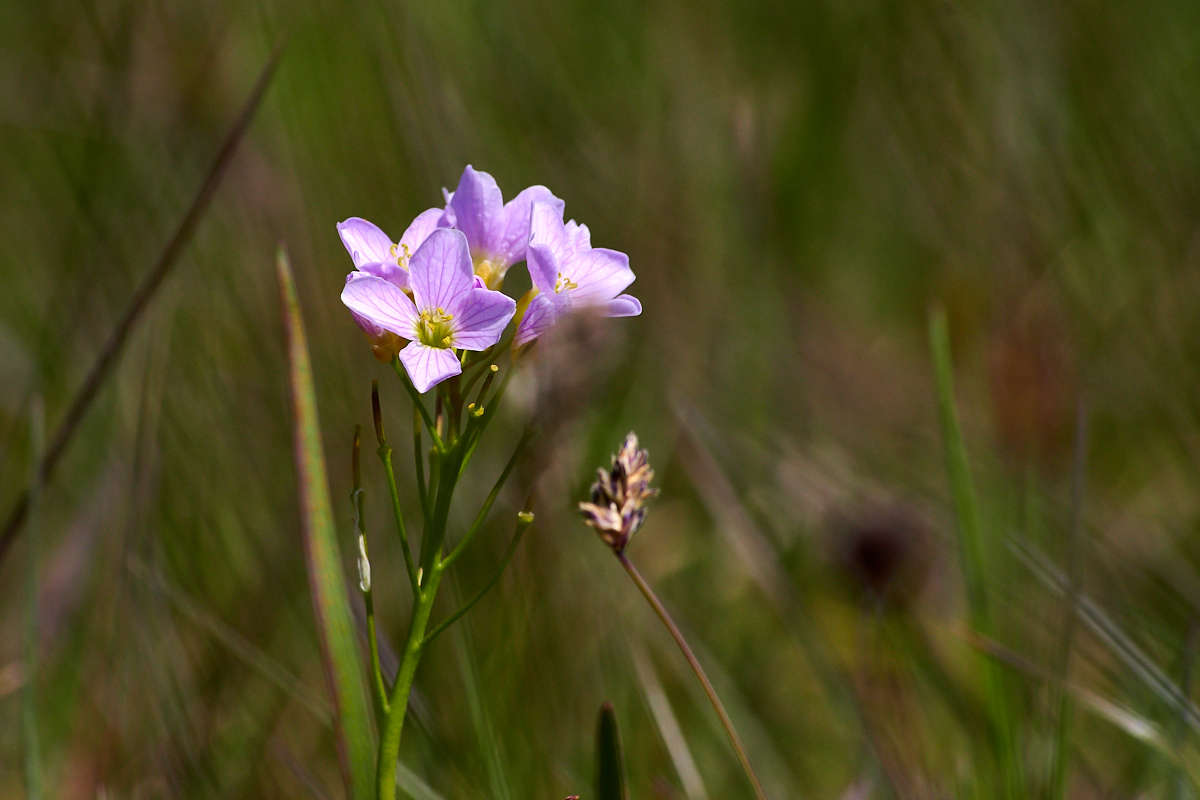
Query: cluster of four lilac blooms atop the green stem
{"type": "Point", "coordinates": [437, 291]}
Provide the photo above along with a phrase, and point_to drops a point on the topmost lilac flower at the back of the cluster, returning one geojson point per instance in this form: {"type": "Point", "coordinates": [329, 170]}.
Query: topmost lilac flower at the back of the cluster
{"type": "Point", "coordinates": [497, 232]}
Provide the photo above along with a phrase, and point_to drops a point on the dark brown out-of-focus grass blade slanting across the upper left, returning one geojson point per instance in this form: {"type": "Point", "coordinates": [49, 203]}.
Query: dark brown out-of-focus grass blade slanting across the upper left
{"type": "Point", "coordinates": [141, 302]}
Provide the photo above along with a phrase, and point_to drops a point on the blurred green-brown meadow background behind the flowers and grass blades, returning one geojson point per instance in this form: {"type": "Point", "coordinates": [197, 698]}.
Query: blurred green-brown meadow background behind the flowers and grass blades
{"type": "Point", "coordinates": [795, 184]}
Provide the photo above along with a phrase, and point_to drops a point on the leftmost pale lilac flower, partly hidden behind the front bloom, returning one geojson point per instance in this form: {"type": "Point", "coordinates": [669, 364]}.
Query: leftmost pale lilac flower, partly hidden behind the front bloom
{"type": "Point", "coordinates": [375, 255]}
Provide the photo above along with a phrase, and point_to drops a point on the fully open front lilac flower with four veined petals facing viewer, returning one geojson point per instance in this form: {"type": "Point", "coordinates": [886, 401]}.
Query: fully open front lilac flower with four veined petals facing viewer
{"type": "Point", "coordinates": [448, 310]}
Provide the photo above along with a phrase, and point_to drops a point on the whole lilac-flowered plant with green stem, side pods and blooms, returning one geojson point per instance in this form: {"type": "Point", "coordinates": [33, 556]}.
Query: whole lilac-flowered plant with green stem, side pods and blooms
{"type": "Point", "coordinates": [431, 304]}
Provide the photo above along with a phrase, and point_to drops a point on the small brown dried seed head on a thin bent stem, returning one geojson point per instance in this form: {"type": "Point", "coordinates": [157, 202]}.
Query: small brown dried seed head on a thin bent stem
{"type": "Point", "coordinates": [620, 495]}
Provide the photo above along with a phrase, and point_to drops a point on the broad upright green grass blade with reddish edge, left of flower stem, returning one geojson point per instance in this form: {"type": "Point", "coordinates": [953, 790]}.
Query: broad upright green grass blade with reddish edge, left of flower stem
{"type": "Point", "coordinates": [327, 579]}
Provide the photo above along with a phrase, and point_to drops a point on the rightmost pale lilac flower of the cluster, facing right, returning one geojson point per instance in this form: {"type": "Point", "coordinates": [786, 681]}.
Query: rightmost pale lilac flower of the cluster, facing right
{"type": "Point", "coordinates": [571, 274]}
